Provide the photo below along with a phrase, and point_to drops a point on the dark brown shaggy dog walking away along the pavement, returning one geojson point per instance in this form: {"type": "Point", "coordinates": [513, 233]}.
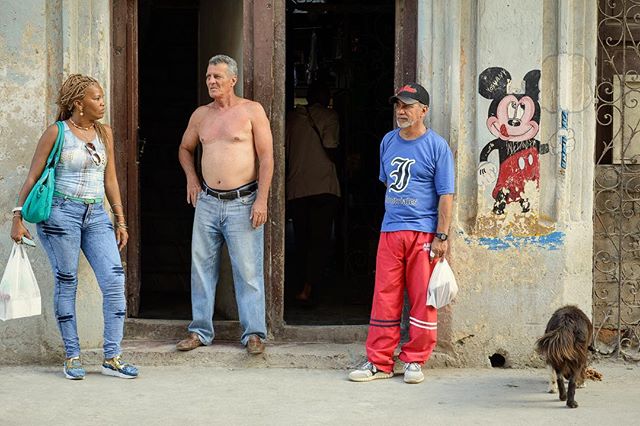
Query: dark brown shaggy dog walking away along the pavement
{"type": "Point", "coordinates": [565, 347]}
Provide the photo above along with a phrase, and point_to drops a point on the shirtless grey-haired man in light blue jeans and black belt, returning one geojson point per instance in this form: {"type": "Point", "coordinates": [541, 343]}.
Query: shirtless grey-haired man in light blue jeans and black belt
{"type": "Point", "coordinates": [230, 203]}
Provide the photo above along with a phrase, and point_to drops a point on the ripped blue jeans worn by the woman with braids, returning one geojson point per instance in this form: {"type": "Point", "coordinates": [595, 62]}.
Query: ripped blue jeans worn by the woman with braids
{"type": "Point", "coordinates": [73, 226]}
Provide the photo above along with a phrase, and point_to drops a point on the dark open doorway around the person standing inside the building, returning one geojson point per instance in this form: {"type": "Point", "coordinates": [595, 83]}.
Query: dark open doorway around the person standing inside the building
{"type": "Point", "coordinates": [349, 46]}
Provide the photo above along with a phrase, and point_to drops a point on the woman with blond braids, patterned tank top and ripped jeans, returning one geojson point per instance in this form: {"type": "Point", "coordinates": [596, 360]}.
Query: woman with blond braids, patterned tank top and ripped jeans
{"type": "Point", "coordinates": [85, 173]}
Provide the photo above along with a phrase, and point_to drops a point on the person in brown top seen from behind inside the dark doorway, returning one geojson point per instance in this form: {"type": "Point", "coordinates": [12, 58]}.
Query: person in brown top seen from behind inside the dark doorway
{"type": "Point", "coordinates": [312, 187]}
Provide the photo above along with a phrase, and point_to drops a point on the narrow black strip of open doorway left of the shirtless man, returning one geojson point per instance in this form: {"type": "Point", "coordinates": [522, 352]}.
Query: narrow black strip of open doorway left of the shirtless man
{"type": "Point", "coordinates": [168, 94]}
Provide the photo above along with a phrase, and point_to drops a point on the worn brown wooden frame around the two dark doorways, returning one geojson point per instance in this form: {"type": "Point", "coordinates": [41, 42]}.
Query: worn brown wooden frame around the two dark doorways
{"type": "Point", "coordinates": [264, 82]}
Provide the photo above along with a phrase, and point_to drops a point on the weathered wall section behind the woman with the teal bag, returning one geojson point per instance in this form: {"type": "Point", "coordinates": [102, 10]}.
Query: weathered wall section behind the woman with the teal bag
{"type": "Point", "coordinates": [42, 42]}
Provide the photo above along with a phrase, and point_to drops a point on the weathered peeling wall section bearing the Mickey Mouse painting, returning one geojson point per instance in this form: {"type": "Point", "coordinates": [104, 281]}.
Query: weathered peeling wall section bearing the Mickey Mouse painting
{"type": "Point", "coordinates": [519, 257]}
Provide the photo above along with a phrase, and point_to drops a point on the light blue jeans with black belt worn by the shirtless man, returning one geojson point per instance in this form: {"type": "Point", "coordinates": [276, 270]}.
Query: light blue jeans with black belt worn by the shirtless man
{"type": "Point", "coordinates": [217, 221]}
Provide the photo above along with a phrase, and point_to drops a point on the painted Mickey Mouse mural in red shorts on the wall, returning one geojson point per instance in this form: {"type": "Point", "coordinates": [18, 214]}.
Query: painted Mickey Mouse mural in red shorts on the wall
{"type": "Point", "coordinates": [514, 119]}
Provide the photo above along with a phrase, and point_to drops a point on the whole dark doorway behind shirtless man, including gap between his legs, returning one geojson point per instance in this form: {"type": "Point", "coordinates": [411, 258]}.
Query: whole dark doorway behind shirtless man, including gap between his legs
{"type": "Point", "coordinates": [176, 39]}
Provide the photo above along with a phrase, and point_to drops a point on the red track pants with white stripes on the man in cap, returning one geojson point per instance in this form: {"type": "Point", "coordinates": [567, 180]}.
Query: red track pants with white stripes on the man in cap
{"type": "Point", "coordinates": [402, 260]}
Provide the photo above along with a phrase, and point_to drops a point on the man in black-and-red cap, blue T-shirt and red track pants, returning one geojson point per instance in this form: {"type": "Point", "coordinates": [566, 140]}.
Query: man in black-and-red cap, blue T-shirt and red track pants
{"type": "Point", "coordinates": [416, 165]}
